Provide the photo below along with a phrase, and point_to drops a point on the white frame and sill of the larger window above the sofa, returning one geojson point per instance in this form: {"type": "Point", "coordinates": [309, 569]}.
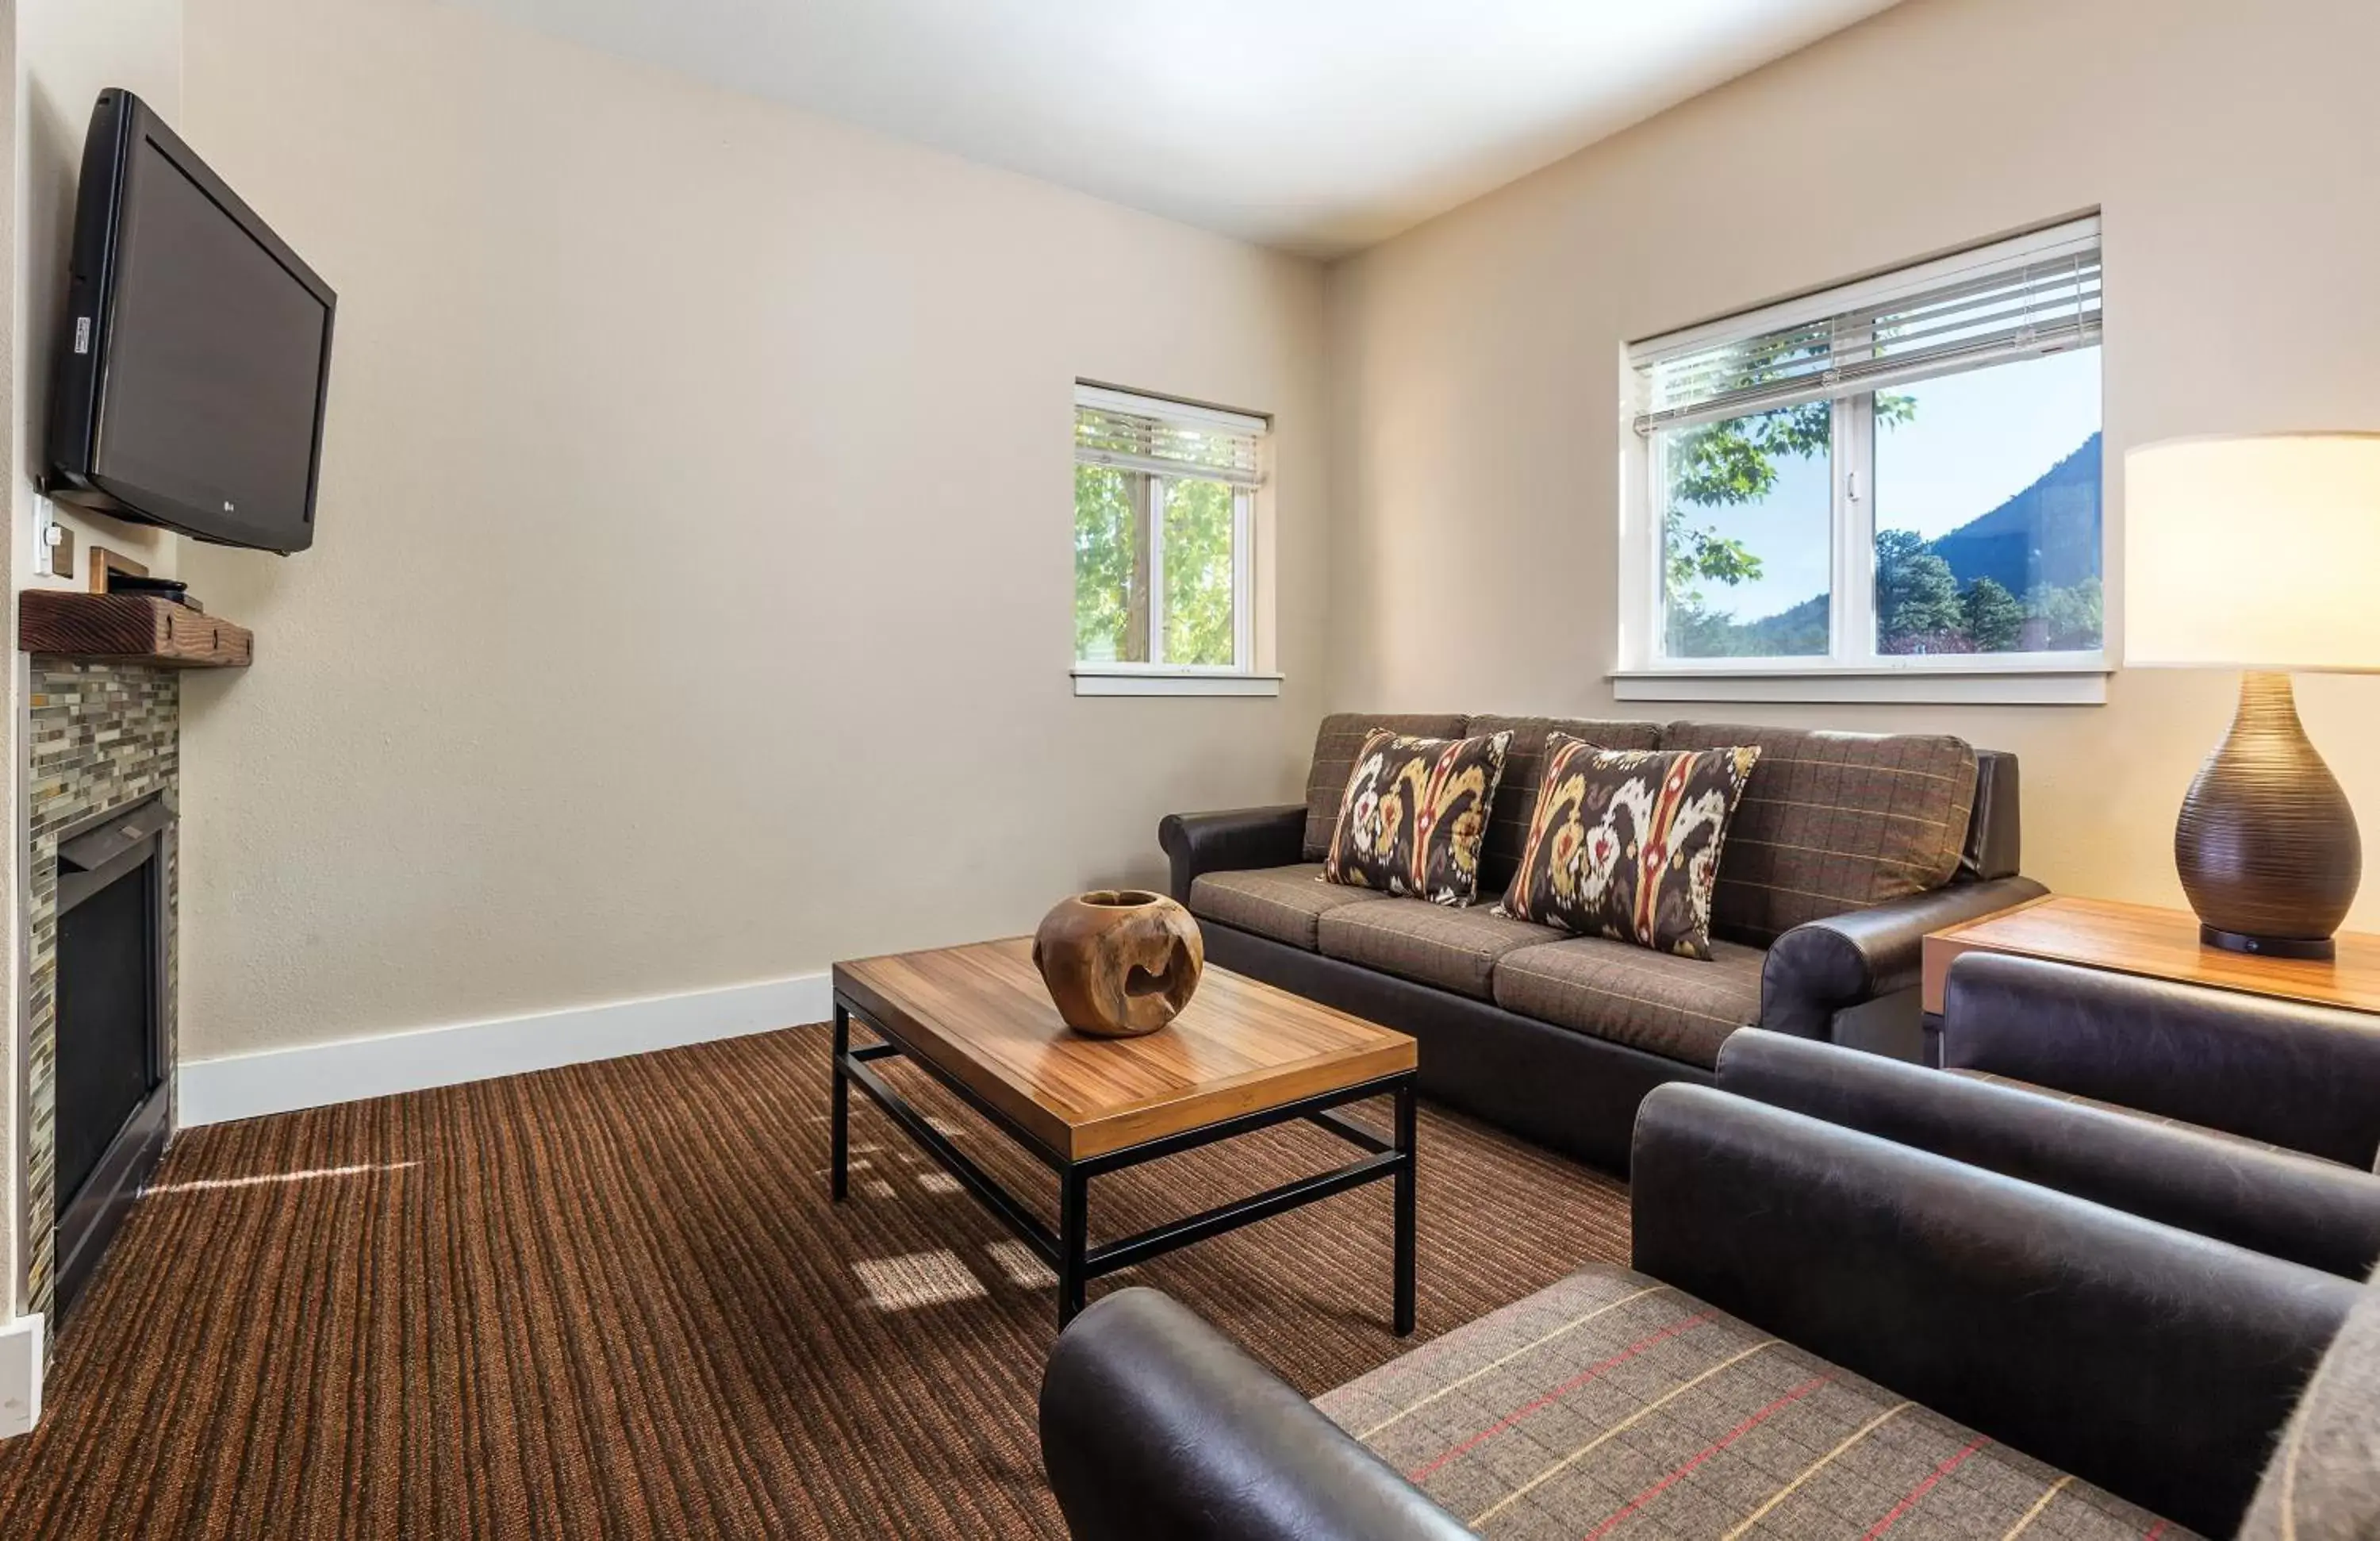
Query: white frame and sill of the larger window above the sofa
{"type": "Point", "coordinates": [1853, 670]}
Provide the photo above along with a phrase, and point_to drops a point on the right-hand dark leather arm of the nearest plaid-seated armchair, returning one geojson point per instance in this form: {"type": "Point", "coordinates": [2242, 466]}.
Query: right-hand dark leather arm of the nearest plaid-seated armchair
{"type": "Point", "coordinates": [2148, 1361]}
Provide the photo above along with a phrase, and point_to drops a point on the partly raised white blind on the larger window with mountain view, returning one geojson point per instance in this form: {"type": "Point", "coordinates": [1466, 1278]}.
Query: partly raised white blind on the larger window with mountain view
{"type": "Point", "coordinates": [2015, 299]}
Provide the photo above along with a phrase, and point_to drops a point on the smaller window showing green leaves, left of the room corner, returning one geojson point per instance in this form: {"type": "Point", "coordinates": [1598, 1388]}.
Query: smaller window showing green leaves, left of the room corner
{"type": "Point", "coordinates": [1165, 499]}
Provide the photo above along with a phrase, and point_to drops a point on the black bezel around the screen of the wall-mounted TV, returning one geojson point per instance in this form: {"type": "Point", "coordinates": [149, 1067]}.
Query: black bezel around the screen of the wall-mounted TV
{"type": "Point", "coordinates": [120, 123]}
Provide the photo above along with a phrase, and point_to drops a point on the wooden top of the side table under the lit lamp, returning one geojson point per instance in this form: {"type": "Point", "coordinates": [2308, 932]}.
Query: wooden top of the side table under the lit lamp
{"type": "Point", "coordinates": [2160, 944]}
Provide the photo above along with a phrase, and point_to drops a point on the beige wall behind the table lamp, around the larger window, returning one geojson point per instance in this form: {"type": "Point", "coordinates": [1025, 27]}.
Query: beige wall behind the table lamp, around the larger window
{"type": "Point", "coordinates": [1477, 361]}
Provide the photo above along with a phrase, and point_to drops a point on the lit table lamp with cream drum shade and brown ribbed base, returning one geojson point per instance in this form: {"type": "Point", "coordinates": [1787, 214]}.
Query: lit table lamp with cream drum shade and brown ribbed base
{"type": "Point", "coordinates": [2260, 554]}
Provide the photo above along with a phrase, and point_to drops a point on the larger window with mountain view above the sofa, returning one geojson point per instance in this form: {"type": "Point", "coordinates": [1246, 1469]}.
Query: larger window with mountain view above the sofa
{"type": "Point", "coordinates": [1900, 475]}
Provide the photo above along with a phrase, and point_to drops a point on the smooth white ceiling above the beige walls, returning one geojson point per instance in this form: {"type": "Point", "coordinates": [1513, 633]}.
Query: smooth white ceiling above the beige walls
{"type": "Point", "coordinates": [1313, 125]}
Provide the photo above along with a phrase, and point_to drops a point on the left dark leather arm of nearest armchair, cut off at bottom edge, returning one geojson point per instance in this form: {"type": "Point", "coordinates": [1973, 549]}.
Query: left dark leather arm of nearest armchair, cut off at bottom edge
{"type": "Point", "coordinates": [1155, 1428]}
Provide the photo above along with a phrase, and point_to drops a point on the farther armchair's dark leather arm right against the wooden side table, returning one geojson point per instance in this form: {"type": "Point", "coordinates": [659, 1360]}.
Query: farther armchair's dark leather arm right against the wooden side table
{"type": "Point", "coordinates": [2276, 1071]}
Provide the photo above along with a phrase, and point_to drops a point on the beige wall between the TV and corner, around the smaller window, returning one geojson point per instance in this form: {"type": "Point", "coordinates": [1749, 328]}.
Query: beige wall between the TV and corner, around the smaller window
{"type": "Point", "coordinates": [694, 585]}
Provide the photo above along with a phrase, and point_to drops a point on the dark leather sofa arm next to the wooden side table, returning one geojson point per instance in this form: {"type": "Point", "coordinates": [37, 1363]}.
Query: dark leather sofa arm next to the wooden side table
{"type": "Point", "coordinates": [1846, 961]}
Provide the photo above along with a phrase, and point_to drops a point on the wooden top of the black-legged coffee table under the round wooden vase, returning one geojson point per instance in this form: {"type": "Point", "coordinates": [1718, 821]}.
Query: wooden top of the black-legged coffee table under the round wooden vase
{"type": "Point", "coordinates": [984, 1018]}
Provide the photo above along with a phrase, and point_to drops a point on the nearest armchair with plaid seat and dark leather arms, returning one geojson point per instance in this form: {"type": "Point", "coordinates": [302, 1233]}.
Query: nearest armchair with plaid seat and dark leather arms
{"type": "Point", "coordinates": [1824, 1335]}
